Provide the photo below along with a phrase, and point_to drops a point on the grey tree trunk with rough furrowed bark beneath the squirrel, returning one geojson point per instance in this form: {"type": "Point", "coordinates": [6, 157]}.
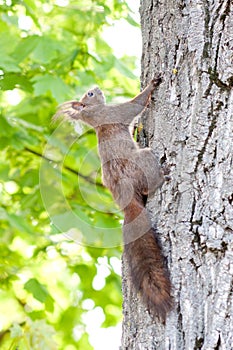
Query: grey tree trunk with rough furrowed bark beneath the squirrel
{"type": "Point", "coordinates": [190, 125]}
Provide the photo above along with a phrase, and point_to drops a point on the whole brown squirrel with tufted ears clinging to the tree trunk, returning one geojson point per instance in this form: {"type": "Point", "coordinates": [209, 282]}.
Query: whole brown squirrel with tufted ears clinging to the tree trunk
{"type": "Point", "coordinates": [131, 174]}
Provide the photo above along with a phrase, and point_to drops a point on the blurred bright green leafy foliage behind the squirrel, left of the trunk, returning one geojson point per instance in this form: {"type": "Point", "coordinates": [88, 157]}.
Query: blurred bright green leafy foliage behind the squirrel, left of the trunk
{"type": "Point", "coordinates": [50, 286]}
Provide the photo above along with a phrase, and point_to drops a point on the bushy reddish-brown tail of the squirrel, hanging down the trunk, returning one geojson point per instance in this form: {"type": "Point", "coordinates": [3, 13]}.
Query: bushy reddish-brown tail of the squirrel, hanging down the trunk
{"type": "Point", "coordinates": [146, 262]}
